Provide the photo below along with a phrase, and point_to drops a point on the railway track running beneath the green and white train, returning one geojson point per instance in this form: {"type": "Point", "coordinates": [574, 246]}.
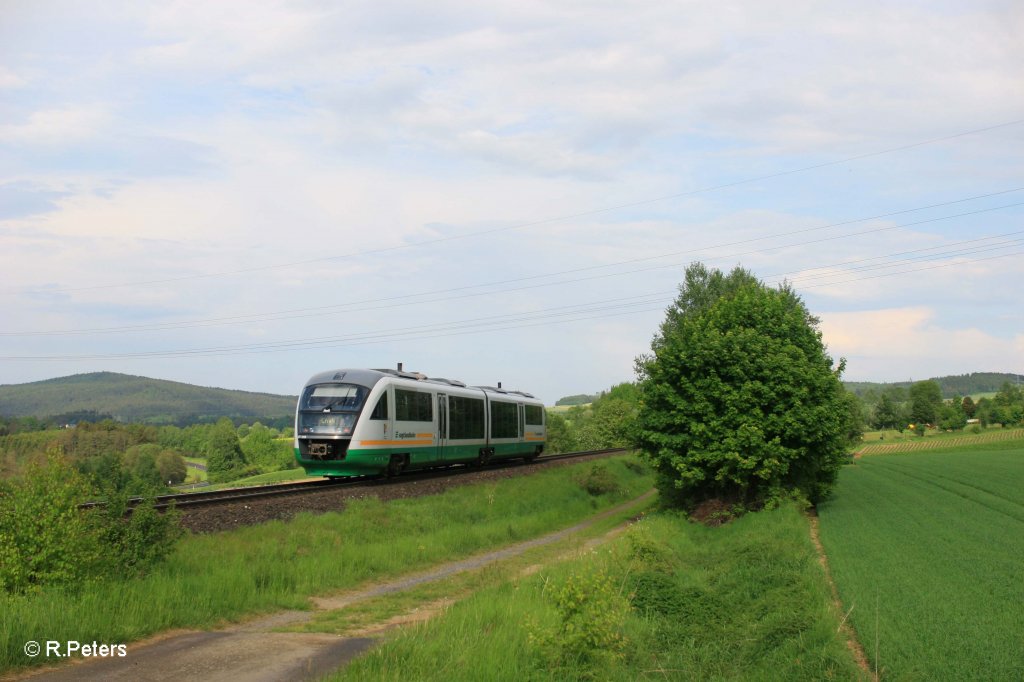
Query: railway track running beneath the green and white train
{"type": "Point", "coordinates": [234, 495]}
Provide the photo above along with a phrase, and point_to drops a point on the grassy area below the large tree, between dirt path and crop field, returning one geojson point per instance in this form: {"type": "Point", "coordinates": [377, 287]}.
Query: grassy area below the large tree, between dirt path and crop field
{"type": "Point", "coordinates": [667, 601]}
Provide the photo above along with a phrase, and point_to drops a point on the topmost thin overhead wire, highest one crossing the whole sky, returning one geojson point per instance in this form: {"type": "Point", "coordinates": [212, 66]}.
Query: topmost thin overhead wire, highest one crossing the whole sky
{"type": "Point", "coordinates": [522, 226]}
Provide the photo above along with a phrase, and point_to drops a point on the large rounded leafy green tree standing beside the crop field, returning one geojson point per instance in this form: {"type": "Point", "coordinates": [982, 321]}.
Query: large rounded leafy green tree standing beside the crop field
{"type": "Point", "coordinates": [740, 399]}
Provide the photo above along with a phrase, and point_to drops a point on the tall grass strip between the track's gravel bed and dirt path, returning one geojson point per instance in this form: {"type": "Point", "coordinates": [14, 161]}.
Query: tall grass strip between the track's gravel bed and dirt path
{"type": "Point", "coordinates": [228, 576]}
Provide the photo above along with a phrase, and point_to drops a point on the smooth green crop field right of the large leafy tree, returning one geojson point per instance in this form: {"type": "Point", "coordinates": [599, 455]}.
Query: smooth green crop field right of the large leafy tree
{"type": "Point", "coordinates": [927, 550]}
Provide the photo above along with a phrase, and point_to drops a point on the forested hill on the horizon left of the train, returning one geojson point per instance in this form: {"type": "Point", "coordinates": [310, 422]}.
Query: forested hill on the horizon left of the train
{"type": "Point", "coordinates": [132, 399]}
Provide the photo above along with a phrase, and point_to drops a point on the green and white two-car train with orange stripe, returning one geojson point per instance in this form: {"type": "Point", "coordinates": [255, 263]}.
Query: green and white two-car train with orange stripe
{"type": "Point", "coordinates": [370, 422]}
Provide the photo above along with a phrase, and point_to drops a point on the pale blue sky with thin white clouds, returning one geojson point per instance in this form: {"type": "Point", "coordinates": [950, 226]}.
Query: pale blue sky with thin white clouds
{"type": "Point", "coordinates": [242, 195]}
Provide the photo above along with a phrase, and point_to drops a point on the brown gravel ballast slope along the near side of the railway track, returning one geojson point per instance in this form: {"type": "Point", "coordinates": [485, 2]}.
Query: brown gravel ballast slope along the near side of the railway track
{"type": "Point", "coordinates": [226, 515]}
